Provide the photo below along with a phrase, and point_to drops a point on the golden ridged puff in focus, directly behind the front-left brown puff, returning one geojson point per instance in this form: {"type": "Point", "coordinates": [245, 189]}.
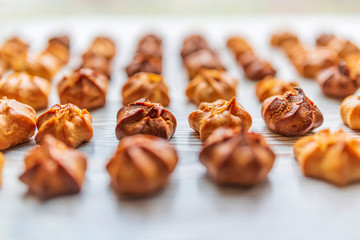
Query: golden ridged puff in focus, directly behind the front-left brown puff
{"type": "Point", "coordinates": [67, 123]}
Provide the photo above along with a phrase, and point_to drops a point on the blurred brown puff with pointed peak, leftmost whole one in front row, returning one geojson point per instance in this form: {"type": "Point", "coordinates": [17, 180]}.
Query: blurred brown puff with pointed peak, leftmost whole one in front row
{"type": "Point", "coordinates": [53, 169]}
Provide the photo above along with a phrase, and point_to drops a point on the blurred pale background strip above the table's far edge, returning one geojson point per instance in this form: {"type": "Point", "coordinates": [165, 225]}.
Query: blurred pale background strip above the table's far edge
{"type": "Point", "coordinates": [40, 8]}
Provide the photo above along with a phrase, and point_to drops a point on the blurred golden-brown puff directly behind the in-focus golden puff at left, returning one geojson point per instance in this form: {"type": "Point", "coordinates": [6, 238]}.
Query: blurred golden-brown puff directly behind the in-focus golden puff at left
{"type": "Point", "coordinates": [85, 88]}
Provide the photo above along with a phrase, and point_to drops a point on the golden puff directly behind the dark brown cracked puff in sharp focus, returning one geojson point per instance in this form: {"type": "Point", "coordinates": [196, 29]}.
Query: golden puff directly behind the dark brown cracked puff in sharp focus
{"type": "Point", "coordinates": [149, 85]}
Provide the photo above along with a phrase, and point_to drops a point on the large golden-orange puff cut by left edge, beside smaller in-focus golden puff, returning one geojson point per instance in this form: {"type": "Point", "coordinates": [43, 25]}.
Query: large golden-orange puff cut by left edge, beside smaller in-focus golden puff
{"type": "Point", "coordinates": [17, 123]}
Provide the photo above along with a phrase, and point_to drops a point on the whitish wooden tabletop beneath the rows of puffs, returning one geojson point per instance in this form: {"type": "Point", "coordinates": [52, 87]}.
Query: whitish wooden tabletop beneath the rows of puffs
{"type": "Point", "coordinates": [287, 206]}
